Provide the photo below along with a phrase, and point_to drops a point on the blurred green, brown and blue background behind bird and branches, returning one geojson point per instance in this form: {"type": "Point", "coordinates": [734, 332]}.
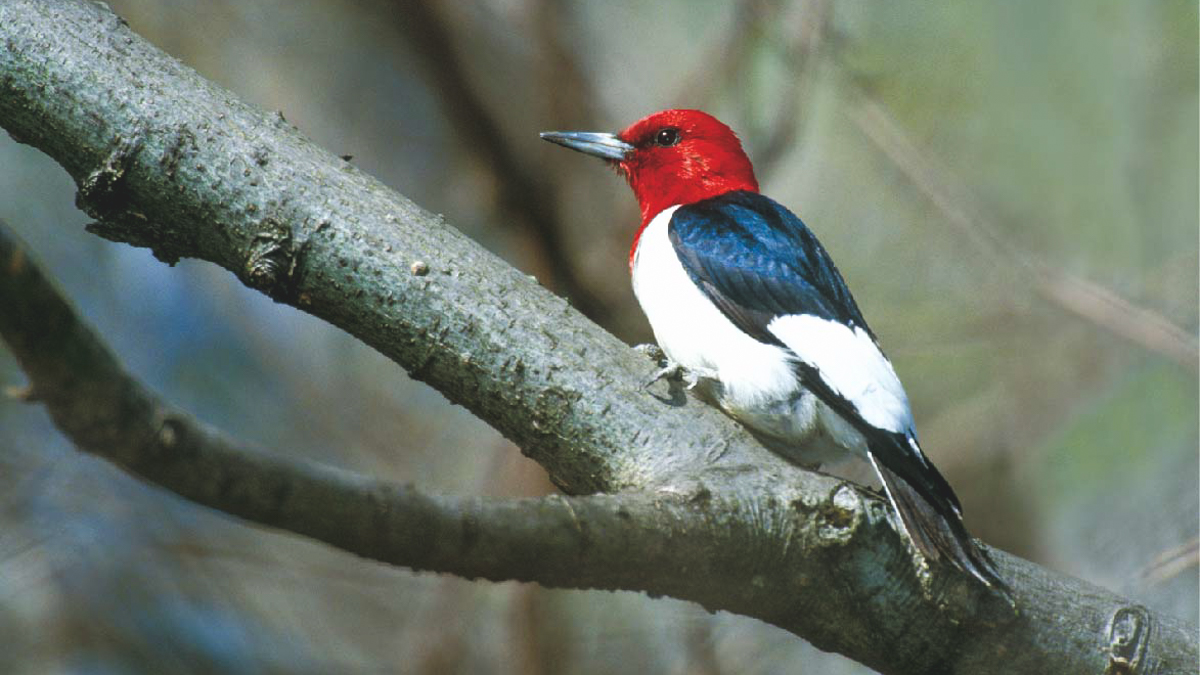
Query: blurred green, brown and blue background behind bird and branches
{"type": "Point", "coordinates": [1010, 188]}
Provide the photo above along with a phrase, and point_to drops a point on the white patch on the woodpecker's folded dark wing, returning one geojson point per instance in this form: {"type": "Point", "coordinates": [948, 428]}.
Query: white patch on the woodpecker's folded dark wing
{"type": "Point", "coordinates": [851, 365]}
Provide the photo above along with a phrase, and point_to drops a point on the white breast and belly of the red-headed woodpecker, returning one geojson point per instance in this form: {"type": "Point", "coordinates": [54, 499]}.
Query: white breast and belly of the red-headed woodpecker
{"type": "Point", "coordinates": [754, 383]}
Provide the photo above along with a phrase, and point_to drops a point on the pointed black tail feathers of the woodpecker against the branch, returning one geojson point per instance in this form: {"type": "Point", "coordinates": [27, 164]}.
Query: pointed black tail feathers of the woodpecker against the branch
{"type": "Point", "coordinates": [938, 530]}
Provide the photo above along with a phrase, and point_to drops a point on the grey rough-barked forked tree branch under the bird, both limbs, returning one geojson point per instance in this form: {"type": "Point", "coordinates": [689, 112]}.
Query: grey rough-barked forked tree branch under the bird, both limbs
{"type": "Point", "coordinates": [170, 162]}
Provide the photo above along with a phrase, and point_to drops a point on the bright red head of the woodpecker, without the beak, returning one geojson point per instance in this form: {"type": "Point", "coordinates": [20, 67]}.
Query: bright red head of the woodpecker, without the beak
{"type": "Point", "coordinates": [682, 157]}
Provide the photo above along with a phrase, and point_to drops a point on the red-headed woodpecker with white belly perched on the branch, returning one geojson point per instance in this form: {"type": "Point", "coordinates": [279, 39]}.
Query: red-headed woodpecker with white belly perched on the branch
{"type": "Point", "coordinates": [749, 308]}
